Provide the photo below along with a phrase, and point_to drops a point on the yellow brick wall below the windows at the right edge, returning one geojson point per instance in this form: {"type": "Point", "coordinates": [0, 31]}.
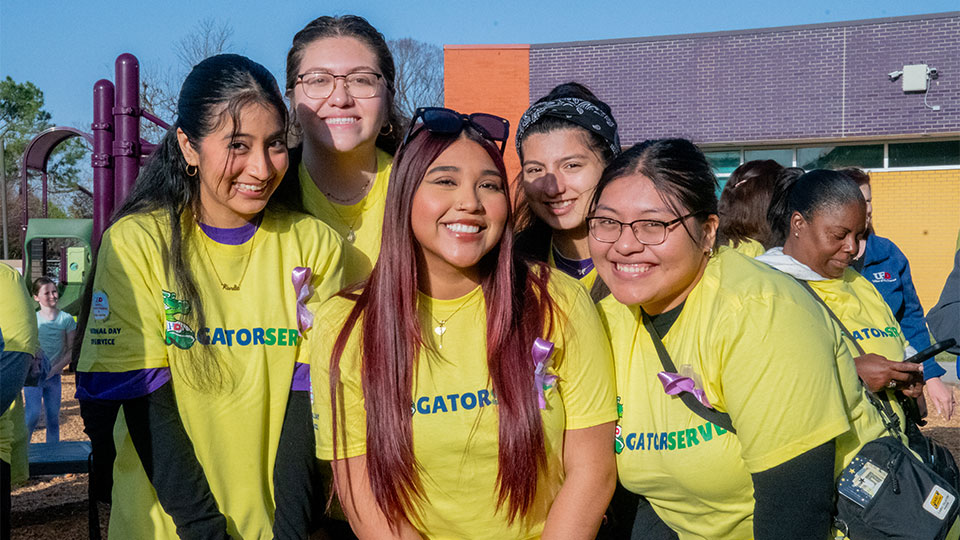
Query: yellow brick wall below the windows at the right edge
{"type": "Point", "coordinates": [920, 212]}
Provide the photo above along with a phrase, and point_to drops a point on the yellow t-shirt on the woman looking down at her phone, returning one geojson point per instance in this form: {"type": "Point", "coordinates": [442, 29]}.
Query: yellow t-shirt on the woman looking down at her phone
{"type": "Point", "coordinates": [861, 308]}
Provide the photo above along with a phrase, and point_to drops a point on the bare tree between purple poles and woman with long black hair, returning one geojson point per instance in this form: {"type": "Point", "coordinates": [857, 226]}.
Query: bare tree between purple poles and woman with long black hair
{"type": "Point", "coordinates": [159, 85]}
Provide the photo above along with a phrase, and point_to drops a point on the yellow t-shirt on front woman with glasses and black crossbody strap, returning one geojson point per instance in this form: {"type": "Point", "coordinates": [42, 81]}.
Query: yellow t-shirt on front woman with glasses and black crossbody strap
{"type": "Point", "coordinates": [767, 354]}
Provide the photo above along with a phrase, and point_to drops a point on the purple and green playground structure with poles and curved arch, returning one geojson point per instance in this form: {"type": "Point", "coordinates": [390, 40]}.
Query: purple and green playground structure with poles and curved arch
{"type": "Point", "coordinates": [118, 152]}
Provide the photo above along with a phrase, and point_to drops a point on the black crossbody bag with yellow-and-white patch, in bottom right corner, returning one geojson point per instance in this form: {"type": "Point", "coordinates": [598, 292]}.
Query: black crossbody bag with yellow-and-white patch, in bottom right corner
{"type": "Point", "coordinates": [886, 492]}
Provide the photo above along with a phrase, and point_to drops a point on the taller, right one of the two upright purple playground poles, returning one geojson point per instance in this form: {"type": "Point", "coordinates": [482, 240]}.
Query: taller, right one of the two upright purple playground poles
{"type": "Point", "coordinates": [126, 119]}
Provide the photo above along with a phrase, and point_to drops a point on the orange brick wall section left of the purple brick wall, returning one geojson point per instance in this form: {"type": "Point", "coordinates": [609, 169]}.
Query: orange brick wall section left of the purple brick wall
{"type": "Point", "coordinates": [492, 79]}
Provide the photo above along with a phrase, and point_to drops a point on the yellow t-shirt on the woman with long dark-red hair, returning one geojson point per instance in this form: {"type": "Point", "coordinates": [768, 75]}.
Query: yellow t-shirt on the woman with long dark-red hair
{"type": "Point", "coordinates": [455, 424]}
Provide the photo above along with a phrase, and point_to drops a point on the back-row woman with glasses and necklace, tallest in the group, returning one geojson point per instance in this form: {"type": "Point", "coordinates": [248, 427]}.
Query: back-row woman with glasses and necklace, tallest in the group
{"type": "Point", "coordinates": [345, 125]}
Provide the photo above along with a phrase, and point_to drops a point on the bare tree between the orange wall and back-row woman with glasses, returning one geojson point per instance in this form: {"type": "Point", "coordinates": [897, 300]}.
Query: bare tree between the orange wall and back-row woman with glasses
{"type": "Point", "coordinates": [419, 74]}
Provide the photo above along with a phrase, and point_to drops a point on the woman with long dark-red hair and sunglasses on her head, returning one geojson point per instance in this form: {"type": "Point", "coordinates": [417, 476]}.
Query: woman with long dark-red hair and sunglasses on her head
{"type": "Point", "coordinates": [467, 395]}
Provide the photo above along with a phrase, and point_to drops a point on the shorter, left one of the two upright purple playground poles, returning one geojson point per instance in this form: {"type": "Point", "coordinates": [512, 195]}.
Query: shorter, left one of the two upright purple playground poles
{"type": "Point", "coordinates": [101, 158]}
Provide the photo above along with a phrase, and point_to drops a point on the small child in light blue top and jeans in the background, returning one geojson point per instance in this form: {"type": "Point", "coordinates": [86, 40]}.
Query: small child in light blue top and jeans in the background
{"type": "Point", "coordinates": [56, 331]}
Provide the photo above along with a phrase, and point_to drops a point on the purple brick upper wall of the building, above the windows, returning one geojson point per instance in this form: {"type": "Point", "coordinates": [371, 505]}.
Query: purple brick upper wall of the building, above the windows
{"type": "Point", "coordinates": [800, 83]}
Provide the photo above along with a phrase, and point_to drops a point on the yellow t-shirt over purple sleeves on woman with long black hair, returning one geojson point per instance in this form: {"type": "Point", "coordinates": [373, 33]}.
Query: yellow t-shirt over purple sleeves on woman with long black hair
{"type": "Point", "coordinates": [138, 322]}
